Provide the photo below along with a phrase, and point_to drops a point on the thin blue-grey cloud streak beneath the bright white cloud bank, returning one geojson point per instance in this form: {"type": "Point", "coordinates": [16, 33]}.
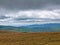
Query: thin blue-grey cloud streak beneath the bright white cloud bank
{"type": "Point", "coordinates": [35, 19]}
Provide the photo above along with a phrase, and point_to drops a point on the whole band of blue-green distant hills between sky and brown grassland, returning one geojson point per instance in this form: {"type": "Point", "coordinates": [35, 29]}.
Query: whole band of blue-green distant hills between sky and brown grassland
{"type": "Point", "coordinates": [51, 27]}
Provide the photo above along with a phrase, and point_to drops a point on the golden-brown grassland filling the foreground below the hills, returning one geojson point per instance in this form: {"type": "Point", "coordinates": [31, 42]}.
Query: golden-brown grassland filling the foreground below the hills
{"type": "Point", "coordinates": [16, 38]}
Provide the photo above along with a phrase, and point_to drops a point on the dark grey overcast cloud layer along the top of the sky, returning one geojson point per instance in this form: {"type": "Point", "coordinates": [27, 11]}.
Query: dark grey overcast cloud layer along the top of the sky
{"type": "Point", "coordinates": [28, 4]}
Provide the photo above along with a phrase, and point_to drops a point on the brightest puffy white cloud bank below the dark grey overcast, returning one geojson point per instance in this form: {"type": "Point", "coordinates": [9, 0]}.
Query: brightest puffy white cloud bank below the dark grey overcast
{"type": "Point", "coordinates": [51, 14]}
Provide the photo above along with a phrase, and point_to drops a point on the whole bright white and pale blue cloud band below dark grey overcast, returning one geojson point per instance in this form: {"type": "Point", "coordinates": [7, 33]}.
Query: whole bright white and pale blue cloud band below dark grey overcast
{"type": "Point", "coordinates": [29, 16]}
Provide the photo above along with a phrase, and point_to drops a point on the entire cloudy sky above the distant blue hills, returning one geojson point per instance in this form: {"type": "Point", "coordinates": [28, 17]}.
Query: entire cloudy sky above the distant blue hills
{"type": "Point", "coordinates": [27, 12]}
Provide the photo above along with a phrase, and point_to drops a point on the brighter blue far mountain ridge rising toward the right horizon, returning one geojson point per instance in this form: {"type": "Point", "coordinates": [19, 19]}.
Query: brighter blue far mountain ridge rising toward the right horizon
{"type": "Point", "coordinates": [50, 25]}
